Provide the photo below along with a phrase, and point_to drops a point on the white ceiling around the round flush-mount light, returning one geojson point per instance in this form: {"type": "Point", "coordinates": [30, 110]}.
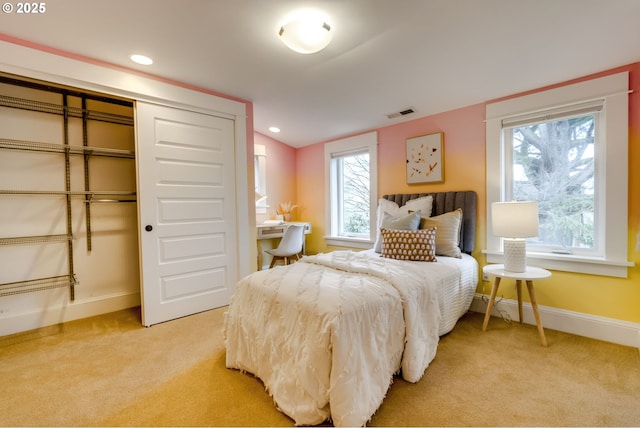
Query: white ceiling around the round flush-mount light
{"type": "Point", "coordinates": [386, 55]}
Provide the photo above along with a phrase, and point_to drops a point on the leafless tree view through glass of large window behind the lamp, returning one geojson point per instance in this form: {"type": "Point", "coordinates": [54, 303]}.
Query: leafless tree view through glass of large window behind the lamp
{"type": "Point", "coordinates": [554, 164]}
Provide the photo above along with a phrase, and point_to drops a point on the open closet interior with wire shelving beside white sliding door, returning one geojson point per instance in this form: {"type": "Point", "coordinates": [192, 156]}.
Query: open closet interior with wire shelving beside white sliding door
{"type": "Point", "coordinates": [68, 212]}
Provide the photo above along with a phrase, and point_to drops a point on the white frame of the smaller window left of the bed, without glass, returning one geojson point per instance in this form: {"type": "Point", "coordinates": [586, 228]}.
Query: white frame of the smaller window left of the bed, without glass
{"type": "Point", "coordinates": [360, 143]}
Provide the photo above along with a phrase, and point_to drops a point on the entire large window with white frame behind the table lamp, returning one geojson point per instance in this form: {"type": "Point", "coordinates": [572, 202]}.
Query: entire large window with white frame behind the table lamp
{"type": "Point", "coordinates": [565, 148]}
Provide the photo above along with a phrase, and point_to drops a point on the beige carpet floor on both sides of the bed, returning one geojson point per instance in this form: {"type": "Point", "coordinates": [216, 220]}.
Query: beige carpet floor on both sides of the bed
{"type": "Point", "coordinates": [110, 371]}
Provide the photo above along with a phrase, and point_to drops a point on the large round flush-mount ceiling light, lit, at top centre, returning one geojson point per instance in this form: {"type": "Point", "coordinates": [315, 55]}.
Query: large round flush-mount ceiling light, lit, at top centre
{"type": "Point", "coordinates": [306, 32]}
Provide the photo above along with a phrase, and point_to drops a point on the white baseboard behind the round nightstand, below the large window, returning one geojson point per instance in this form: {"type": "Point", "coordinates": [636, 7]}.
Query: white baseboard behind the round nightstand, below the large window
{"type": "Point", "coordinates": [592, 326]}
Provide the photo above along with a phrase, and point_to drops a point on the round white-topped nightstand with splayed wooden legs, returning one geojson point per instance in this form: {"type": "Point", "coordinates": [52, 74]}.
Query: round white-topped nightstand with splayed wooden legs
{"type": "Point", "coordinates": [531, 273]}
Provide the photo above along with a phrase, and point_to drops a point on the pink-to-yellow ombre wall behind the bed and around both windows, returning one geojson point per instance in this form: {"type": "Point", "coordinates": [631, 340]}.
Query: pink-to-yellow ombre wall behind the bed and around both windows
{"type": "Point", "coordinates": [464, 169]}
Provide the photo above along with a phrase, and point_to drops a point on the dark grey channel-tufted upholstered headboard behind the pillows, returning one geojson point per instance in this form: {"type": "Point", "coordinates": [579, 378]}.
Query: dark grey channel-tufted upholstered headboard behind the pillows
{"type": "Point", "coordinates": [444, 202]}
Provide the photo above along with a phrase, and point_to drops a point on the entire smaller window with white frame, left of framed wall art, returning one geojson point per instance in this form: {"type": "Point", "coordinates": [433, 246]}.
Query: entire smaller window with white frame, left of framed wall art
{"type": "Point", "coordinates": [351, 189]}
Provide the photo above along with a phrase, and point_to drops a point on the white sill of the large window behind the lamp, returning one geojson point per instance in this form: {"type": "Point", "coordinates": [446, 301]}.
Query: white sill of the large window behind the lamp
{"type": "Point", "coordinates": [570, 263]}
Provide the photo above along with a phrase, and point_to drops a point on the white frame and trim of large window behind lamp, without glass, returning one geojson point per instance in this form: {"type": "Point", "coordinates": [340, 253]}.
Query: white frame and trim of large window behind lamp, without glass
{"type": "Point", "coordinates": [612, 162]}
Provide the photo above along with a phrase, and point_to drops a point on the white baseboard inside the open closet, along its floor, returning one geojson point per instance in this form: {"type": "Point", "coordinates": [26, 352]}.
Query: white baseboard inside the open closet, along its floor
{"type": "Point", "coordinates": [21, 322]}
